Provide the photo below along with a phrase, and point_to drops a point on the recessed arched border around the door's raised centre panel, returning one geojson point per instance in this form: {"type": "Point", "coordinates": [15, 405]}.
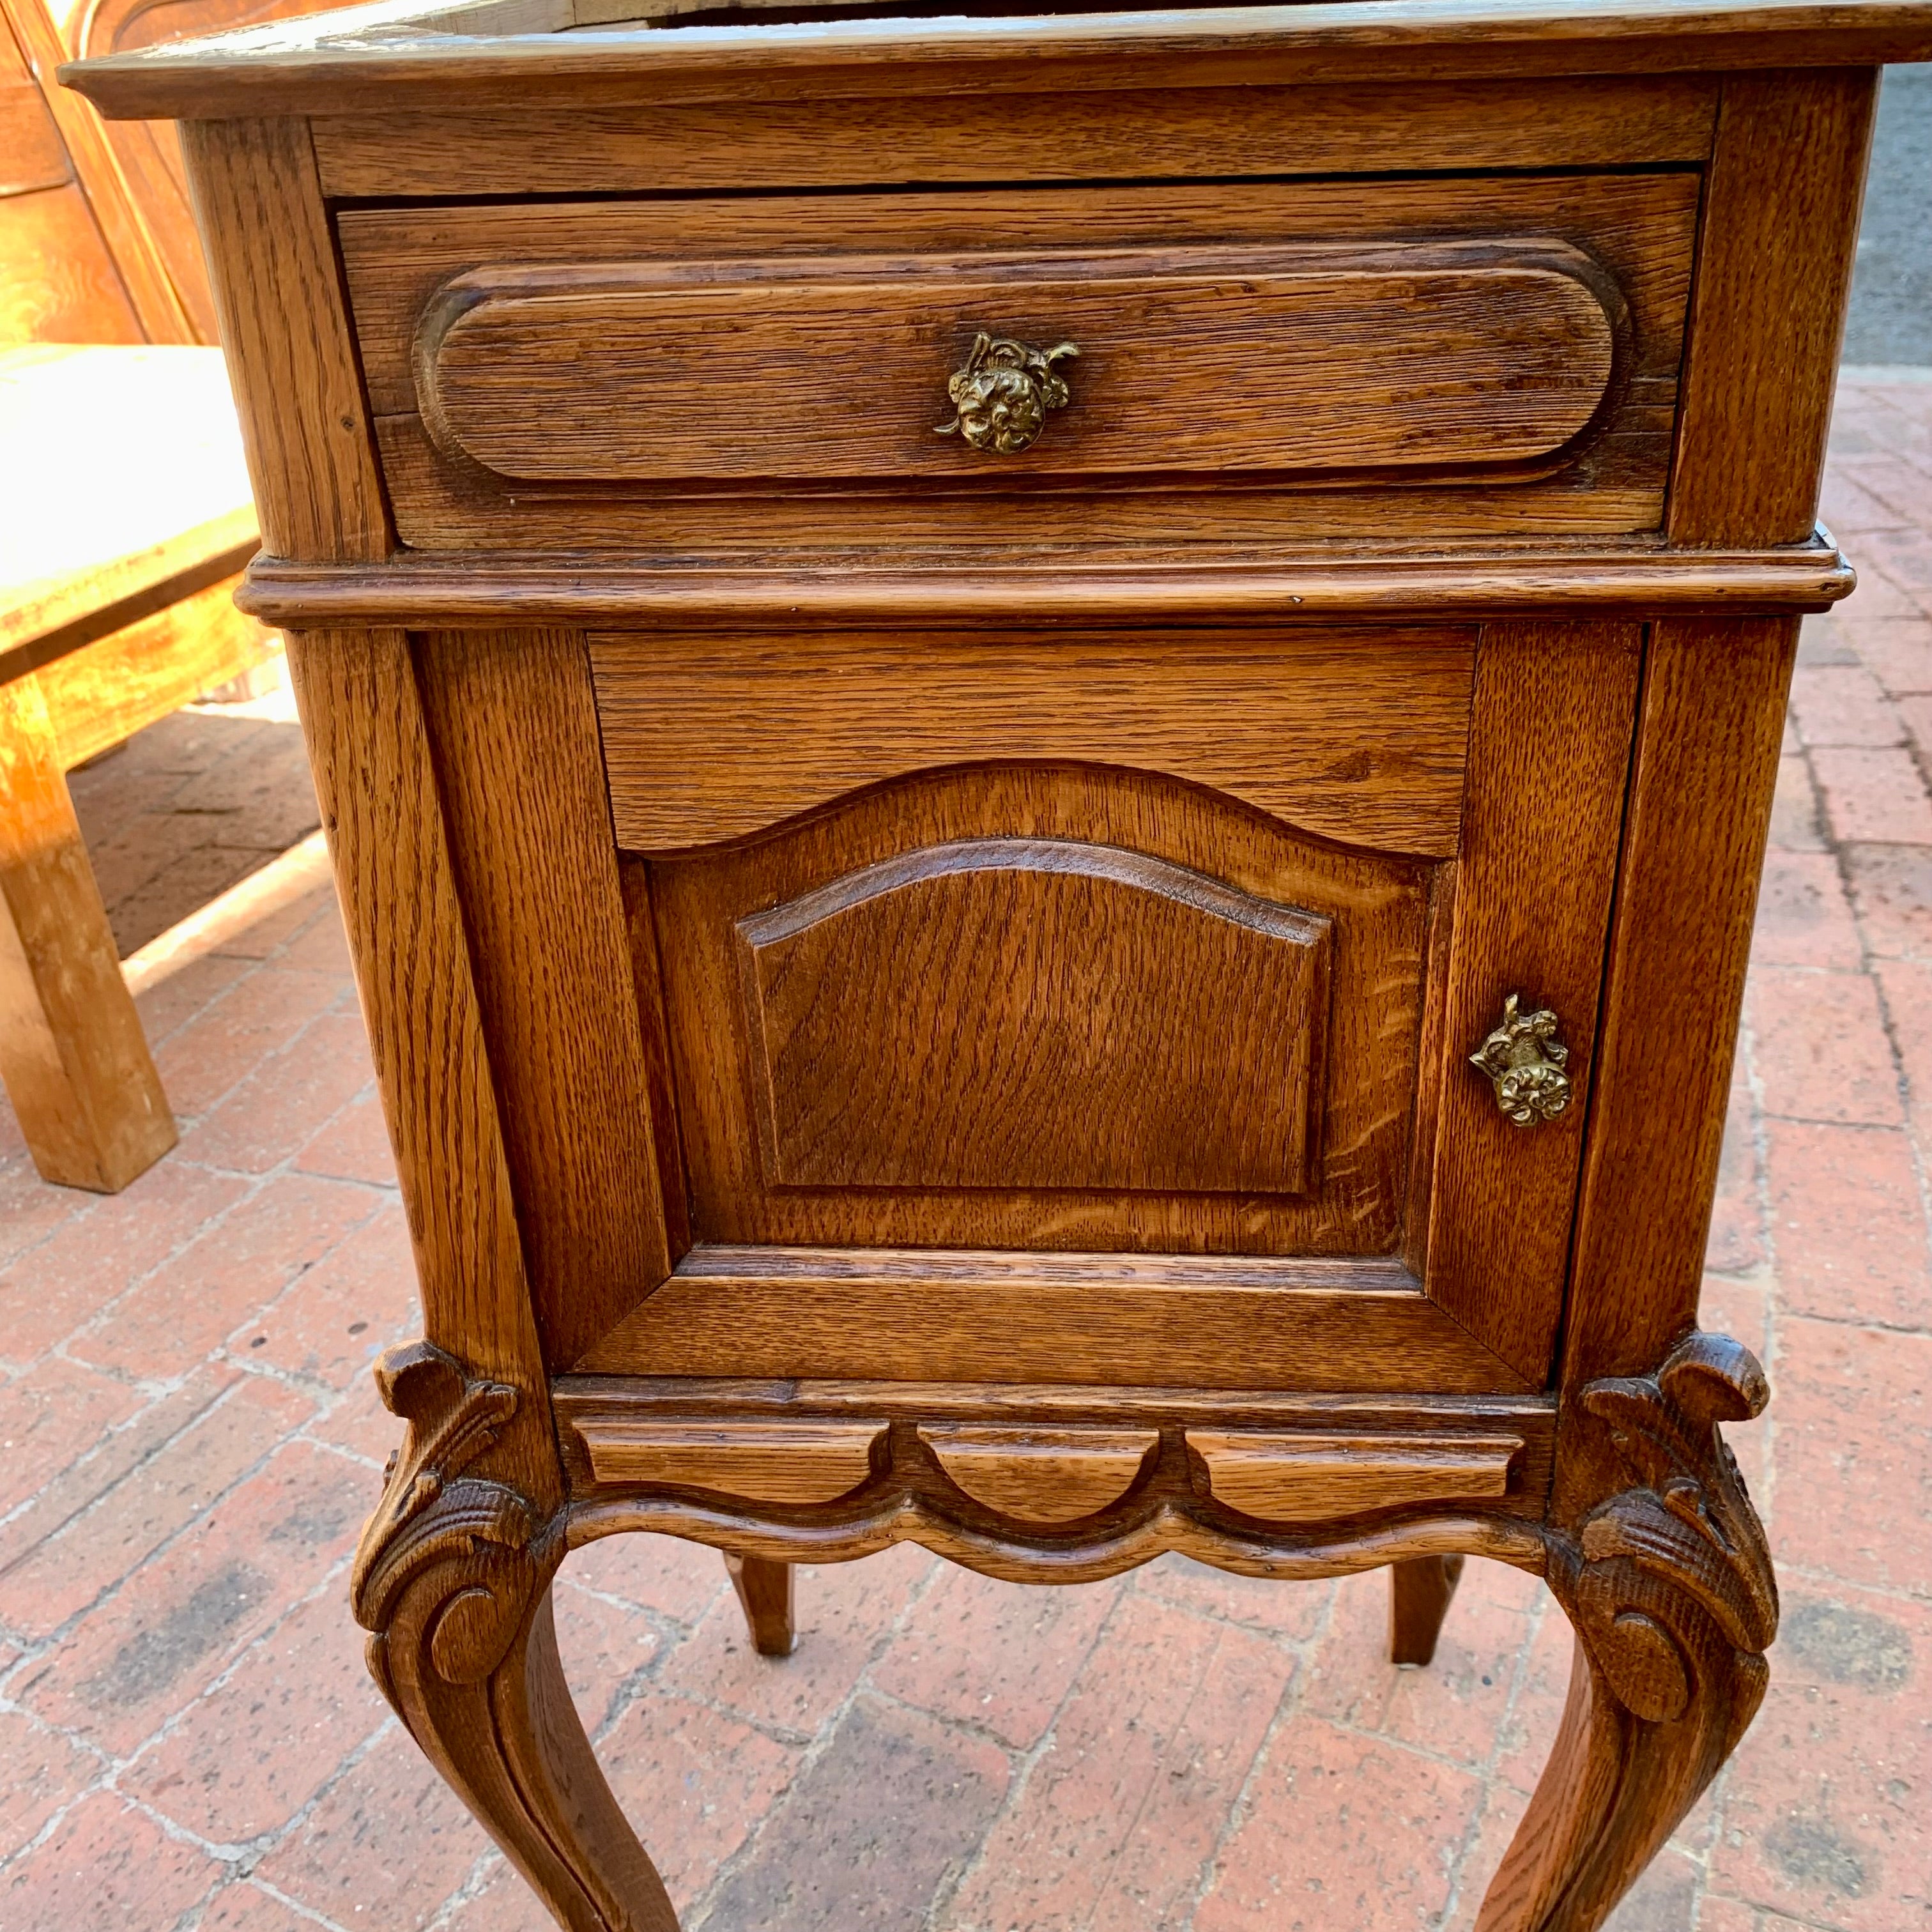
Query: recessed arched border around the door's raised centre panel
{"type": "Point", "coordinates": [1377, 909]}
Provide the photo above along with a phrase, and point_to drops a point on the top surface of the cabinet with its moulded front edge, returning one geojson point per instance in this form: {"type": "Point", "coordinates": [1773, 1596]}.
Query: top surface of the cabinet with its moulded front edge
{"type": "Point", "coordinates": [509, 51]}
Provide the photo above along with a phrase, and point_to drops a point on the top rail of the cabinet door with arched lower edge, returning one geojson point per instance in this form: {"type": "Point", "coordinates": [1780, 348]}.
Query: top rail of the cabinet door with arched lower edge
{"type": "Point", "coordinates": [1357, 735]}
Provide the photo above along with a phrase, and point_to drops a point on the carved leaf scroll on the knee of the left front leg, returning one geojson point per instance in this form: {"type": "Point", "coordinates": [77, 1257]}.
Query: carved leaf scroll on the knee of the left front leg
{"type": "Point", "coordinates": [467, 1537]}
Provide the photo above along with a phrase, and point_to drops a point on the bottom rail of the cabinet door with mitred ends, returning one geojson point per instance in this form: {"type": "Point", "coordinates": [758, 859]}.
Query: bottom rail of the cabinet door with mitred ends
{"type": "Point", "coordinates": [1069, 1319]}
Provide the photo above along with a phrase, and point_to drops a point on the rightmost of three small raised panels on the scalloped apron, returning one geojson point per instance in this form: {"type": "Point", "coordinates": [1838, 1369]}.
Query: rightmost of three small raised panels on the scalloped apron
{"type": "Point", "coordinates": [1309, 1479]}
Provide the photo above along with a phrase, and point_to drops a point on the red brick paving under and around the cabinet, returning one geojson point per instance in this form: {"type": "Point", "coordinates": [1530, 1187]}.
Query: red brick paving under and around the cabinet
{"type": "Point", "coordinates": [190, 1435]}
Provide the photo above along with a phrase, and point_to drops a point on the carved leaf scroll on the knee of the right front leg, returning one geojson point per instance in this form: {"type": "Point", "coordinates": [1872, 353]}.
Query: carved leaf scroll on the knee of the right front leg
{"type": "Point", "coordinates": [1678, 1558]}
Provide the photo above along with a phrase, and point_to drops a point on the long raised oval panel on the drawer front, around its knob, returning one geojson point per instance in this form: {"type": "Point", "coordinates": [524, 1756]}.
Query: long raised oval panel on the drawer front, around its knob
{"type": "Point", "coordinates": [1319, 356]}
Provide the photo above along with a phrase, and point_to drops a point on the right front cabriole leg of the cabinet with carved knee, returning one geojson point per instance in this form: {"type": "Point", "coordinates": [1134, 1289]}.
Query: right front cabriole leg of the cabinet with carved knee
{"type": "Point", "coordinates": [1670, 1589]}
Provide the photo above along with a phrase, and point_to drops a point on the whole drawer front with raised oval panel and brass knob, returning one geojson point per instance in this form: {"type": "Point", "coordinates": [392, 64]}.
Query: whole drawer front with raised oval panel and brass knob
{"type": "Point", "coordinates": [1332, 358]}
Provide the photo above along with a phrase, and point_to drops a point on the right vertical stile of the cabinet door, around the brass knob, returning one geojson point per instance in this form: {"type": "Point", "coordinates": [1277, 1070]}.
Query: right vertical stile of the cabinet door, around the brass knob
{"type": "Point", "coordinates": [1550, 754]}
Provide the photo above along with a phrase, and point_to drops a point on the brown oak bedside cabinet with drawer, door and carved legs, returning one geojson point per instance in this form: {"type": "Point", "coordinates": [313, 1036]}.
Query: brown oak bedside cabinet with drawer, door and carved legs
{"type": "Point", "coordinates": [1048, 745]}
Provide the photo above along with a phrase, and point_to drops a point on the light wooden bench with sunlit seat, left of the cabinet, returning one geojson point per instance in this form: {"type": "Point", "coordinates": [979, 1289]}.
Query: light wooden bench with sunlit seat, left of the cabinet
{"type": "Point", "coordinates": [125, 526]}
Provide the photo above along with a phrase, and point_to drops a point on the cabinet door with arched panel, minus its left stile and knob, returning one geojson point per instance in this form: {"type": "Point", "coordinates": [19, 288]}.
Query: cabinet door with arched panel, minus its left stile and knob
{"type": "Point", "coordinates": [1100, 1008]}
